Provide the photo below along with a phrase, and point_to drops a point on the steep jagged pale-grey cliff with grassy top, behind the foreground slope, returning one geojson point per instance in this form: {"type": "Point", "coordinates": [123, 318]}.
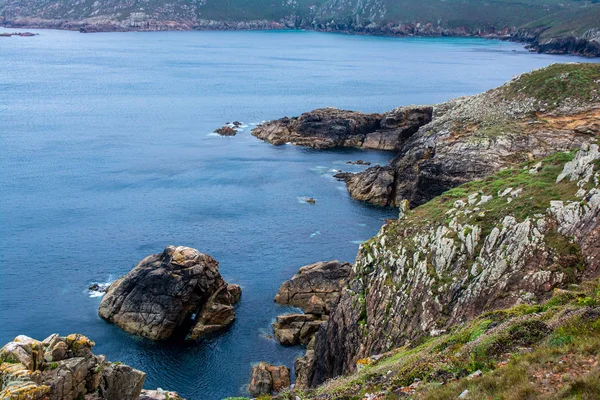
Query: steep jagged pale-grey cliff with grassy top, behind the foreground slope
{"type": "Point", "coordinates": [510, 239]}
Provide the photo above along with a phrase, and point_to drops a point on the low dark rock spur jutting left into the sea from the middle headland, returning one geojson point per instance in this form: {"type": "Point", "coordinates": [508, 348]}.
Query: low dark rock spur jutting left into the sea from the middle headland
{"type": "Point", "coordinates": [330, 127]}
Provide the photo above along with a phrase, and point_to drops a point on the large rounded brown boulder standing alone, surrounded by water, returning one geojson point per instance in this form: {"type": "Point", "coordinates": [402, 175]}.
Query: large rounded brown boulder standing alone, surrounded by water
{"type": "Point", "coordinates": [171, 293]}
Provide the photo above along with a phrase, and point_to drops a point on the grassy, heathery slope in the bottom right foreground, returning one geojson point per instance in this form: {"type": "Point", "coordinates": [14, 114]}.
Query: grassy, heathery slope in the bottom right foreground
{"type": "Point", "coordinates": [516, 350]}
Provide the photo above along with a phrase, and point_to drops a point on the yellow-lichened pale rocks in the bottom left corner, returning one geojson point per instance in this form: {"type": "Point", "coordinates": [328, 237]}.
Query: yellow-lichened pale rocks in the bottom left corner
{"type": "Point", "coordinates": [64, 368]}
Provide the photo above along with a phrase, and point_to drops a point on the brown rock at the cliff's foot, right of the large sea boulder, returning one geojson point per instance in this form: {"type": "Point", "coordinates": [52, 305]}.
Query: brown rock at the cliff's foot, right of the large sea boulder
{"type": "Point", "coordinates": [316, 287]}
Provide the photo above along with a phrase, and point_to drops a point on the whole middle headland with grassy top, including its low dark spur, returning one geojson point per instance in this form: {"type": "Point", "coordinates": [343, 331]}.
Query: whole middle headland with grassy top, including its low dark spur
{"type": "Point", "coordinates": [442, 146]}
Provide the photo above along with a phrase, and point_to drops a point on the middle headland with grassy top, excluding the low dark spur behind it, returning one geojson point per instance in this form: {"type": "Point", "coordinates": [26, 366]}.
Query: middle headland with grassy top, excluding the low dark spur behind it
{"type": "Point", "coordinates": [472, 137]}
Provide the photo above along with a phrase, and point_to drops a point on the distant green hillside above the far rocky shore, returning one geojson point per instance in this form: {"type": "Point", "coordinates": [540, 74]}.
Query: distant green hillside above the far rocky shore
{"type": "Point", "coordinates": [452, 13]}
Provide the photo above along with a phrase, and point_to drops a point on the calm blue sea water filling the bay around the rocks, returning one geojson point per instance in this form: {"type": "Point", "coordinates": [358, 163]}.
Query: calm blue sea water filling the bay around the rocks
{"type": "Point", "coordinates": [106, 157]}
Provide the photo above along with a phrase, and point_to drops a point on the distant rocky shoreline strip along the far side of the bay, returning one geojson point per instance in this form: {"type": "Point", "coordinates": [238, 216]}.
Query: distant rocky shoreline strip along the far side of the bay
{"type": "Point", "coordinates": [535, 37]}
